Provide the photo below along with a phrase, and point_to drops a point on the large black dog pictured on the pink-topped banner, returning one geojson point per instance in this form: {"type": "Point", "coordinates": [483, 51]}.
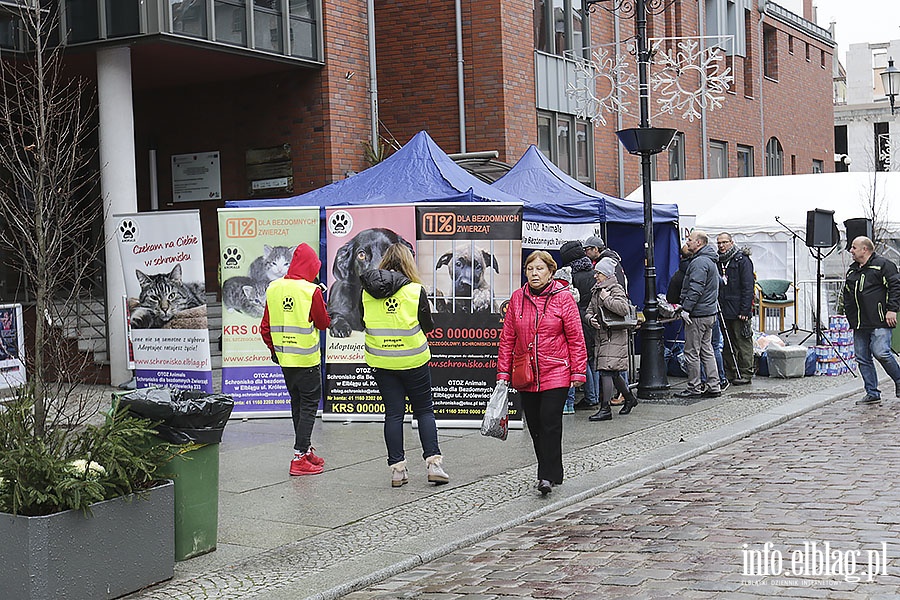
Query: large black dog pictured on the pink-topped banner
{"type": "Point", "coordinates": [362, 253]}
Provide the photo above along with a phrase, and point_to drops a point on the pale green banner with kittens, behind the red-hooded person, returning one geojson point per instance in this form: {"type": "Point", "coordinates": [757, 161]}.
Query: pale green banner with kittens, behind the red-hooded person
{"type": "Point", "coordinates": [255, 248]}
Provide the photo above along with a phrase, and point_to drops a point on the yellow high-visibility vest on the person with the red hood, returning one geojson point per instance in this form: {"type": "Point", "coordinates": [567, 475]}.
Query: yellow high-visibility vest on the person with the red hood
{"type": "Point", "coordinates": [294, 338]}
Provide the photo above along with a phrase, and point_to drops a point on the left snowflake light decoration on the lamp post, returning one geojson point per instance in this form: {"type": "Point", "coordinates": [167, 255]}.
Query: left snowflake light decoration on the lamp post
{"type": "Point", "coordinates": [604, 72]}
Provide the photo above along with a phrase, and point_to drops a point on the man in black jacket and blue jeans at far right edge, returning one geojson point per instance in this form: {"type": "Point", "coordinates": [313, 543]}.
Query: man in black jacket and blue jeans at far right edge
{"type": "Point", "coordinates": [871, 301]}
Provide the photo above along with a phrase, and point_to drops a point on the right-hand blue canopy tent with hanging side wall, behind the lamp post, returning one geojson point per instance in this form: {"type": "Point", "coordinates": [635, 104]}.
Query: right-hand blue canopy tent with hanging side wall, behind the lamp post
{"type": "Point", "coordinates": [551, 196]}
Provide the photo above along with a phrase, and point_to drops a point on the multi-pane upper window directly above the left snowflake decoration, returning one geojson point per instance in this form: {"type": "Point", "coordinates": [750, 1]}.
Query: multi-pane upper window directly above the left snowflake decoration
{"type": "Point", "coordinates": [560, 26]}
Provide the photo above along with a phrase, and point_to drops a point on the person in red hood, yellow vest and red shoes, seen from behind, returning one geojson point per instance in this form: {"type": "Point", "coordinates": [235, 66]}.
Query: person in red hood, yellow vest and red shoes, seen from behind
{"type": "Point", "coordinates": [295, 311]}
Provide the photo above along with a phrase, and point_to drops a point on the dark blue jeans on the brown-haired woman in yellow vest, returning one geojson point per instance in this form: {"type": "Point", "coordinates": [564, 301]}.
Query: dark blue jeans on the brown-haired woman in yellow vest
{"type": "Point", "coordinates": [395, 387]}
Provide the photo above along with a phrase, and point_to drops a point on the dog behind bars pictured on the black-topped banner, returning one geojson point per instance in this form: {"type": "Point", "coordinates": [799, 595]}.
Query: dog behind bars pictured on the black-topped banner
{"type": "Point", "coordinates": [468, 266]}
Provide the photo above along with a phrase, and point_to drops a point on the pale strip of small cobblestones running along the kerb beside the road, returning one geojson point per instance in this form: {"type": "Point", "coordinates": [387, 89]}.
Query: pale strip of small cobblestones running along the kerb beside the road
{"type": "Point", "coordinates": [296, 566]}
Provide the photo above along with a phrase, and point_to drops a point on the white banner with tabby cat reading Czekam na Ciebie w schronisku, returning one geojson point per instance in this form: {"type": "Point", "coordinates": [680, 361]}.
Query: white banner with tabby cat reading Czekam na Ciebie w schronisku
{"type": "Point", "coordinates": [162, 260]}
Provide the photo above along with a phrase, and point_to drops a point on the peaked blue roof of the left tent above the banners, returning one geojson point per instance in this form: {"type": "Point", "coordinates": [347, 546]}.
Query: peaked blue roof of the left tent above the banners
{"type": "Point", "coordinates": [417, 172]}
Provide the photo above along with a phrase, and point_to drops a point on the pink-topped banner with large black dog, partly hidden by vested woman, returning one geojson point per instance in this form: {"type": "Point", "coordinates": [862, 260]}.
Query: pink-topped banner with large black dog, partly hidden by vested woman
{"type": "Point", "coordinates": [356, 239]}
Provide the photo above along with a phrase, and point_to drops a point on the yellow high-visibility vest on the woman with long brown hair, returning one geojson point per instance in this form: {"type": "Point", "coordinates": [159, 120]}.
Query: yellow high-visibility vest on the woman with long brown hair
{"type": "Point", "coordinates": [394, 339]}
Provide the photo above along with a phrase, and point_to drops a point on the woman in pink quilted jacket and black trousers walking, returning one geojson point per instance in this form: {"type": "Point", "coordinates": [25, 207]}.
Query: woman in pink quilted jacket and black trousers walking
{"type": "Point", "coordinates": [542, 321]}
